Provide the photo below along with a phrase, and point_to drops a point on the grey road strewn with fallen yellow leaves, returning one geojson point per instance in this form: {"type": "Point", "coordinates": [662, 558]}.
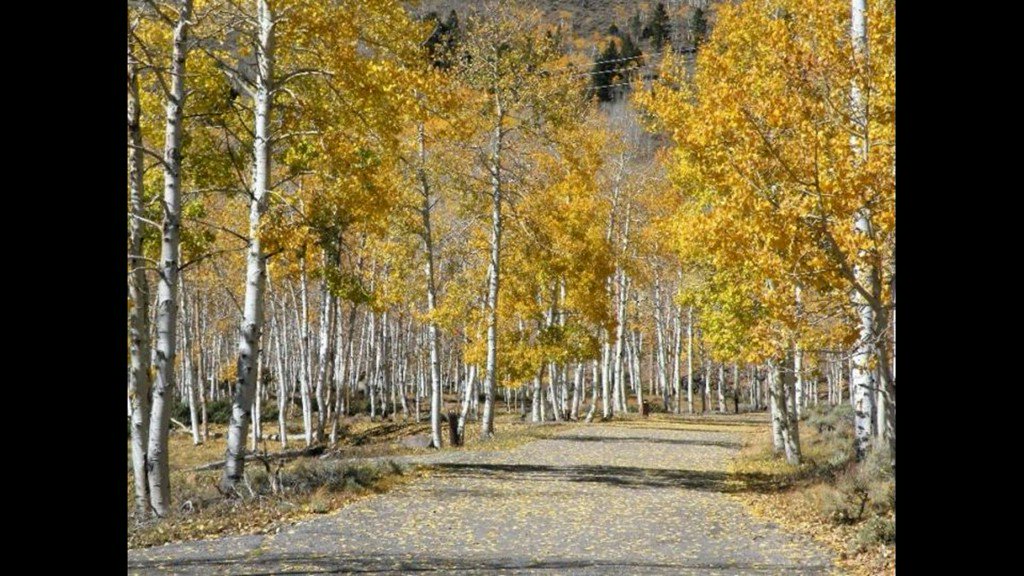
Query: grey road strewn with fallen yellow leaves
{"type": "Point", "coordinates": [652, 497]}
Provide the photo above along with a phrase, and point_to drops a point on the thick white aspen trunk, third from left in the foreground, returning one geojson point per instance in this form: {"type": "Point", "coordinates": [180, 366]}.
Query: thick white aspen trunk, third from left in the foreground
{"type": "Point", "coordinates": [252, 320]}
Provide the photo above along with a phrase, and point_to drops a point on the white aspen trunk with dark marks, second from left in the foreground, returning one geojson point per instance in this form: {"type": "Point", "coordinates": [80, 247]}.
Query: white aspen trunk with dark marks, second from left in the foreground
{"type": "Point", "coordinates": [163, 390]}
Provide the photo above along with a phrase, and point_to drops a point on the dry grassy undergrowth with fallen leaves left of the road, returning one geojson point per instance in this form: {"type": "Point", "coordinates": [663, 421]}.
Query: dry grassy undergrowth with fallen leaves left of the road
{"type": "Point", "coordinates": [267, 502]}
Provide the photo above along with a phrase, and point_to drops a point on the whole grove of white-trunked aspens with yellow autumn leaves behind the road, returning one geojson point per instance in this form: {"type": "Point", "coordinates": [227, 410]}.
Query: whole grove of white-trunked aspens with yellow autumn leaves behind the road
{"type": "Point", "coordinates": [340, 211]}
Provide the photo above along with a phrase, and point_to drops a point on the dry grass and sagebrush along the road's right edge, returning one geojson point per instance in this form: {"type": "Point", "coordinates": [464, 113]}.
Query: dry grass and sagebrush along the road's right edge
{"type": "Point", "coordinates": [847, 506]}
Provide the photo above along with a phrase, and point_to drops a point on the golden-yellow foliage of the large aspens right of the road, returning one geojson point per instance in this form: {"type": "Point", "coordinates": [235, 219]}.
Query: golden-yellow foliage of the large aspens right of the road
{"type": "Point", "coordinates": [774, 169]}
